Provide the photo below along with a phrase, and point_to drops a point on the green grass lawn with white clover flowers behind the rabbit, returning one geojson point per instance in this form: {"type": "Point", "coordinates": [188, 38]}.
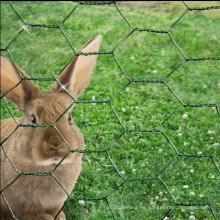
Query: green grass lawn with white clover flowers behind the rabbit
{"type": "Point", "coordinates": [140, 156]}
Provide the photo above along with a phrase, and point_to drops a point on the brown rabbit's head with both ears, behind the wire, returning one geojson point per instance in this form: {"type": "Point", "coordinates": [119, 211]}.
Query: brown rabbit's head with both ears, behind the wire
{"type": "Point", "coordinates": [48, 145]}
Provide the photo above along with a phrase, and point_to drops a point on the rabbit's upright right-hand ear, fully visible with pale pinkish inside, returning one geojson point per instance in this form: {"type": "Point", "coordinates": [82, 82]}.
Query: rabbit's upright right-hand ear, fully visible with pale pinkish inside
{"type": "Point", "coordinates": [76, 76]}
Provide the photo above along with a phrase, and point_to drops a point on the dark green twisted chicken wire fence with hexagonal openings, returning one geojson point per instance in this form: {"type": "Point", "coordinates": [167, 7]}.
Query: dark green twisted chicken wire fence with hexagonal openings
{"type": "Point", "coordinates": [177, 155]}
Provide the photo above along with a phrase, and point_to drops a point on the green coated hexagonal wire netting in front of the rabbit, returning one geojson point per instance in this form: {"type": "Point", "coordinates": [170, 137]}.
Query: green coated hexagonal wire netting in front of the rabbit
{"type": "Point", "coordinates": [106, 151]}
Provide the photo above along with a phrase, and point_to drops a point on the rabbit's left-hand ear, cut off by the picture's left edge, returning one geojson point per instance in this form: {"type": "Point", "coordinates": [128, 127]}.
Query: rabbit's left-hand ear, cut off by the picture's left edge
{"type": "Point", "coordinates": [10, 78]}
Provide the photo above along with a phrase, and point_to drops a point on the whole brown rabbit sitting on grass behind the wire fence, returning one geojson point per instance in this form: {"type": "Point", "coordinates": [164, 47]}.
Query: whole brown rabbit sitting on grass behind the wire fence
{"type": "Point", "coordinates": [40, 149]}
